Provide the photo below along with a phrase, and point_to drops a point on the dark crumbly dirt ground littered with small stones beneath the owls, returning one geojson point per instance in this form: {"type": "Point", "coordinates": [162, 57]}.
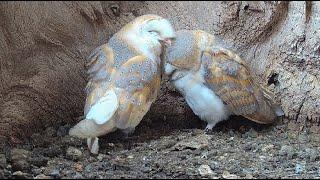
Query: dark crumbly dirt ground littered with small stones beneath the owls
{"type": "Point", "coordinates": [159, 149]}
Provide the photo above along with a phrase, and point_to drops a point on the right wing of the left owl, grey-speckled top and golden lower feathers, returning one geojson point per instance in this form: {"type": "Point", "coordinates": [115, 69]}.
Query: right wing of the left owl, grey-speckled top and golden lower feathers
{"type": "Point", "coordinates": [140, 79]}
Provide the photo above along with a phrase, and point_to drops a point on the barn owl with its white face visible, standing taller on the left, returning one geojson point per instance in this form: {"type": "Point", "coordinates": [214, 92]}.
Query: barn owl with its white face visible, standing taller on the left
{"type": "Point", "coordinates": [124, 78]}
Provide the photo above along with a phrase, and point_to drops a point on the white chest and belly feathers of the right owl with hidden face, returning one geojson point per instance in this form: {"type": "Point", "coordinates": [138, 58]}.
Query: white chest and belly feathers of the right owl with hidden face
{"type": "Point", "coordinates": [202, 100]}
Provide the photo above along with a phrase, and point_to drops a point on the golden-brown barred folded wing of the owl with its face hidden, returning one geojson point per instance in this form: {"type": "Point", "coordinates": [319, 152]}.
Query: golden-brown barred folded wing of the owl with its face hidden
{"type": "Point", "coordinates": [230, 79]}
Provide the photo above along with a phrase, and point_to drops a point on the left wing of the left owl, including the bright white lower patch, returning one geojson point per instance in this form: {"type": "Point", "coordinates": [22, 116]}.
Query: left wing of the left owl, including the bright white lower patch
{"type": "Point", "coordinates": [101, 102]}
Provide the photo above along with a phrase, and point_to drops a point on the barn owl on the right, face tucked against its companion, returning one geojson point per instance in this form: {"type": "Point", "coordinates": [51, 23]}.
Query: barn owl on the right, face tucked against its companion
{"type": "Point", "coordinates": [216, 82]}
